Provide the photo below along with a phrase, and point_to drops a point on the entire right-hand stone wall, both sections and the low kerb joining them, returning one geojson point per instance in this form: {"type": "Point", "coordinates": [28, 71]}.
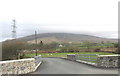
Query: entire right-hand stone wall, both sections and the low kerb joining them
{"type": "Point", "coordinates": [102, 60]}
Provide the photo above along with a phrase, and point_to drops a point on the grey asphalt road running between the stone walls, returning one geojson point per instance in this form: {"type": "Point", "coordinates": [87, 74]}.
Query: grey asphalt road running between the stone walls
{"type": "Point", "coordinates": [62, 66]}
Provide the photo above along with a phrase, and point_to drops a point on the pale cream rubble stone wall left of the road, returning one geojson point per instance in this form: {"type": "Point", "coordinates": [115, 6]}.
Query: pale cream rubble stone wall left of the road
{"type": "Point", "coordinates": [21, 66]}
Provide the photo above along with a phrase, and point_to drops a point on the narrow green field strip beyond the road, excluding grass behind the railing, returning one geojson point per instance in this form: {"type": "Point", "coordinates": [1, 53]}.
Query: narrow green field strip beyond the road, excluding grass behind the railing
{"type": "Point", "coordinates": [65, 54]}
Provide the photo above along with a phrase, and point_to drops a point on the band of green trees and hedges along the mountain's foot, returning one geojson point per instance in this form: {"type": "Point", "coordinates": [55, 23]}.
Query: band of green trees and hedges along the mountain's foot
{"type": "Point", "coordinates": [71, 47]}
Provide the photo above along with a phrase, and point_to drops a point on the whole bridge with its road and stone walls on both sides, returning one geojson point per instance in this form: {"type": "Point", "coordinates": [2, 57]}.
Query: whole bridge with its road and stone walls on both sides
{"type": "Point", "coordinates": [69, 65]}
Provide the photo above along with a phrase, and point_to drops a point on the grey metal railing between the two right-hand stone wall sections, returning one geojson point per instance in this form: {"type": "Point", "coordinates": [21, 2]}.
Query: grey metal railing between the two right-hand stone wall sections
{"type": "Point", "coordinates": [87, 57]}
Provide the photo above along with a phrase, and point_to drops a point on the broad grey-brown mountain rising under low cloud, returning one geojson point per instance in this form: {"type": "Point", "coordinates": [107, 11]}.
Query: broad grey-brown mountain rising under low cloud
{"type": "Point", "coordinates": [64, 37]}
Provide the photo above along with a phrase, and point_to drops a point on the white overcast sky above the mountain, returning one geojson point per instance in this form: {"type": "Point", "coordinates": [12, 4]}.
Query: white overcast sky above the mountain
{"type": "Point", "coordinates": [92, 17]}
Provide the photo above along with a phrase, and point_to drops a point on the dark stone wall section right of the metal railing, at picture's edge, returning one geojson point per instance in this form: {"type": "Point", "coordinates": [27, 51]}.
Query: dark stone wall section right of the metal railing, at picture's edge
{"type": "Point", "coordinates": [108, 61]}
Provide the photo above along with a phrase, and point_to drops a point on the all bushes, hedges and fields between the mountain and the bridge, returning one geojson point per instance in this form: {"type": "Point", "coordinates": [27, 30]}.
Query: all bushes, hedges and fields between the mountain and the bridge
{"type": "Point", "coordinates": [14, 49]}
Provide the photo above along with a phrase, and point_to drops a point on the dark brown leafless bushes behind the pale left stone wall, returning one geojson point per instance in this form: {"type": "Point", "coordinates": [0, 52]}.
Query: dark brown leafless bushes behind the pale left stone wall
{"type": "Point", "coordinates": [12, 50]}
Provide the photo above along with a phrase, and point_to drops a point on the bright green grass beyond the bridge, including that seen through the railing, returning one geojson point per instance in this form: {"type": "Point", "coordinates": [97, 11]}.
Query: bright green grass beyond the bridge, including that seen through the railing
{"type": "Point", "coordinates": [65, 55]}
